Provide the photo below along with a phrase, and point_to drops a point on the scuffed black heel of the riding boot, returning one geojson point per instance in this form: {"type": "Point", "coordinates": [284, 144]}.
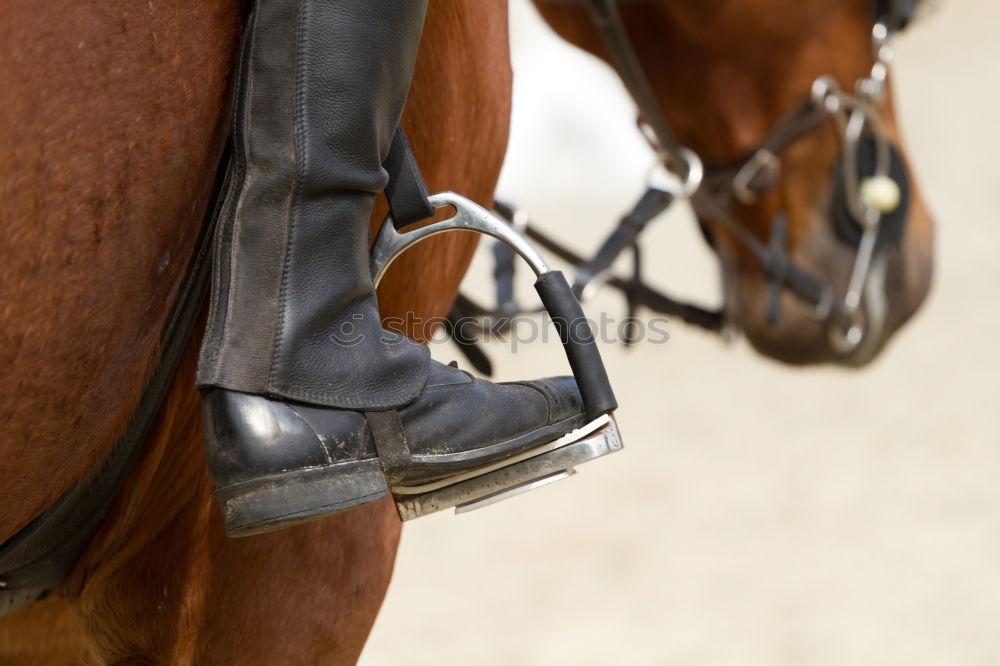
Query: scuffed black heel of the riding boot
{"type": "Point", "coordinates": [283, 500]}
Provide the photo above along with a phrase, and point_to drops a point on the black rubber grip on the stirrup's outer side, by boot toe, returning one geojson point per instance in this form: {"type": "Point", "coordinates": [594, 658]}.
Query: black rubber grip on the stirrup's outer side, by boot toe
{"type": "Point", "coordinates": [578, 340]}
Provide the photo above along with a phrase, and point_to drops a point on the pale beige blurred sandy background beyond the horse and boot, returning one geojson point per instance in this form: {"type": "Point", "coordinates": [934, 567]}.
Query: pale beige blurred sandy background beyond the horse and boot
{"type": "Point", "coordinates": [759, 515]}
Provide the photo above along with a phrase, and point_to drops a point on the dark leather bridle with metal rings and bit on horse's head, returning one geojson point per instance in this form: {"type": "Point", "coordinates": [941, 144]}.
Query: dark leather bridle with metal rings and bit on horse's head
{"type": "Point", "coordinates": [870, 179]}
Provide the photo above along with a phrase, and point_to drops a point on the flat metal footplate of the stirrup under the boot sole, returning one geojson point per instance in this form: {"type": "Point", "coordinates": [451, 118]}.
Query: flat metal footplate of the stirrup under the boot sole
{"type": "Point", "coordinates": [536, 468]}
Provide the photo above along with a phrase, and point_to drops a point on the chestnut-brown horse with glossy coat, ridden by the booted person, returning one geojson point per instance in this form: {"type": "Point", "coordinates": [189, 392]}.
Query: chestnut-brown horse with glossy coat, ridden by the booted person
{"type": "Point", "coordinates": [113, 124]}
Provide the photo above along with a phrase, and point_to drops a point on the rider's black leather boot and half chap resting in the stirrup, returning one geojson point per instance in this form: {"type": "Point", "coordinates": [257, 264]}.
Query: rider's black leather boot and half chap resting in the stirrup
{"type": "Point", "coordinates": [310, 406]}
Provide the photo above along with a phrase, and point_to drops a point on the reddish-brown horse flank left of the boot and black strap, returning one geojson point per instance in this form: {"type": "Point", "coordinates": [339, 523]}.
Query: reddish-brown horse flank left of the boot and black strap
{"type": "Point", "coordinates": [112, 122]}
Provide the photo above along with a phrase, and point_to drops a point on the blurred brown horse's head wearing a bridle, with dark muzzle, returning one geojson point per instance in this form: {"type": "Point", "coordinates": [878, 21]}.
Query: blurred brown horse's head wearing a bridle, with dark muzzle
{"type": "Point", "coordinates": [751, 87]}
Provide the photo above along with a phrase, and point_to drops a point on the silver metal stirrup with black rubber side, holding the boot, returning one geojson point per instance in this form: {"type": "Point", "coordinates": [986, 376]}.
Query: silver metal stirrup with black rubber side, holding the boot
{"type": "Point", "coordinates": [549, 462]}
